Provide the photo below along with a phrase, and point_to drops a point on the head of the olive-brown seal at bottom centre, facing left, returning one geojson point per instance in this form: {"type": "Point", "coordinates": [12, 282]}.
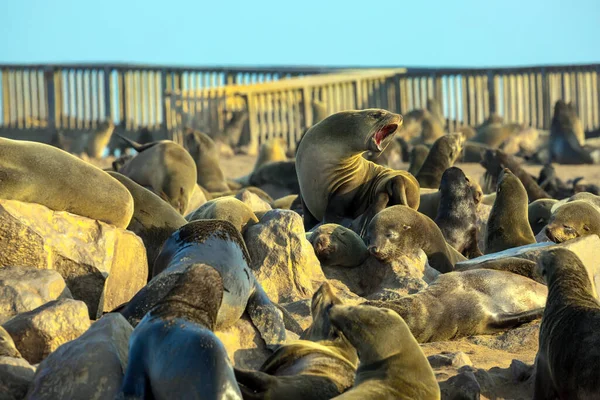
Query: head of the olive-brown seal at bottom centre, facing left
{"type": "Point", "coordinates": [376, 333]}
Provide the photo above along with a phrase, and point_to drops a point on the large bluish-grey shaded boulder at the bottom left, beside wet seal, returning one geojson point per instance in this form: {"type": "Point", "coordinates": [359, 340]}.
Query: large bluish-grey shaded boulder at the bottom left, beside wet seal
{"type": "Point", "coordinates": [89, 367]}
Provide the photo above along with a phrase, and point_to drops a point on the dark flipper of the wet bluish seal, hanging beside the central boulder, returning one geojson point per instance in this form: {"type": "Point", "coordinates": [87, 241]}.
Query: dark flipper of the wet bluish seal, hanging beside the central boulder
{"type": "Point", "coordinates": [266, 317]}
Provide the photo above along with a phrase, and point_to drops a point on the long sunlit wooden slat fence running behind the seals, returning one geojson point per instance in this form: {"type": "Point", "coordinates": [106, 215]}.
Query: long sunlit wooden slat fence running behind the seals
{"type": "Point", "coordinates": [78, 97]}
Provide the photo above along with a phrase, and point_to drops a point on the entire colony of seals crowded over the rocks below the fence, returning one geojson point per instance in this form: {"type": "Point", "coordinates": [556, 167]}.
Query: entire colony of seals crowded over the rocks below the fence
{"type": "Point", "coordinates": [320, 273]}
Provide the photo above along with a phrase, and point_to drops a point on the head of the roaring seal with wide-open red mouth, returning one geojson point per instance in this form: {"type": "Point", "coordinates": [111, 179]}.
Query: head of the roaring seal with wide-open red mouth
{"type": "Point", "coordinates": [360, 130]}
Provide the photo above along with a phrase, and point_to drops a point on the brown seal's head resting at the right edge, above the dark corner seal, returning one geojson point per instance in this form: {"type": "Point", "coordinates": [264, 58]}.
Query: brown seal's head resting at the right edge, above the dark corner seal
{"type": "Point", "coordinates": [573, 219]}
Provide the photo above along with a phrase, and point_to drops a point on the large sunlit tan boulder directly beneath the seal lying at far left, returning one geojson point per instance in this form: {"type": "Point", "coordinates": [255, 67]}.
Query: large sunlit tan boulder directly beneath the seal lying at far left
{"type": "Point", "coordinates": [102, 265]}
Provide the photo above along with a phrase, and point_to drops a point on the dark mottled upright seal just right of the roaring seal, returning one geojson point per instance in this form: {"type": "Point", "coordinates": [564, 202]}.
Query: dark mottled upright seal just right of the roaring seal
{"type": "Point", "coordinates": [457, 213]}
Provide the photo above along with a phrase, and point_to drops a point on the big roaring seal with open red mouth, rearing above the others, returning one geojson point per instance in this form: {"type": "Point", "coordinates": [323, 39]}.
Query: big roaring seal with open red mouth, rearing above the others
{"type": "Point", "coordinates": [337, 183]}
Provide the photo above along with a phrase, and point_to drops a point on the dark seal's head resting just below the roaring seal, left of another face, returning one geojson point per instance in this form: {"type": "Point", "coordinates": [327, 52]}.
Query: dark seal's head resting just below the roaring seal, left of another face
{"type": "Point", "coordinates": [338, 246]}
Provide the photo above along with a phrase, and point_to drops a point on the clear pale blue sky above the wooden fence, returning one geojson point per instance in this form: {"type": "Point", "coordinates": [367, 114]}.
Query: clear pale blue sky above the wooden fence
{"type": "Point", "coordinates": [306, 32]}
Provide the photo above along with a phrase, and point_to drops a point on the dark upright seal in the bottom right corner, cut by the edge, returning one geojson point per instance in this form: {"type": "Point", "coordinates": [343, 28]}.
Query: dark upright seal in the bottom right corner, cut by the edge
{"type": "Point", "coordinates": [567, 359]}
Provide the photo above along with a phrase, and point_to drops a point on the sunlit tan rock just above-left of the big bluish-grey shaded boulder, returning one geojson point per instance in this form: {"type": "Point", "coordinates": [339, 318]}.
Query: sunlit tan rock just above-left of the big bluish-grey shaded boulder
{"type": "Point", "coordinates": [39, 332]}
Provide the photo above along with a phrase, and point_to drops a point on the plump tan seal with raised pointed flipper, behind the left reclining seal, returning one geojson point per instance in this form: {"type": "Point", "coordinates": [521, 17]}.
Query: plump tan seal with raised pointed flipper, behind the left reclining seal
{"type": "Point", "coordinates": [165, 167]}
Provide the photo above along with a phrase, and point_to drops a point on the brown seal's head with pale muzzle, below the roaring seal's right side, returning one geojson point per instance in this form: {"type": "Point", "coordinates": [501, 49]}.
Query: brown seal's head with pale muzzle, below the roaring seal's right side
{"type": "Point", "coordinates": [393, 232]}
